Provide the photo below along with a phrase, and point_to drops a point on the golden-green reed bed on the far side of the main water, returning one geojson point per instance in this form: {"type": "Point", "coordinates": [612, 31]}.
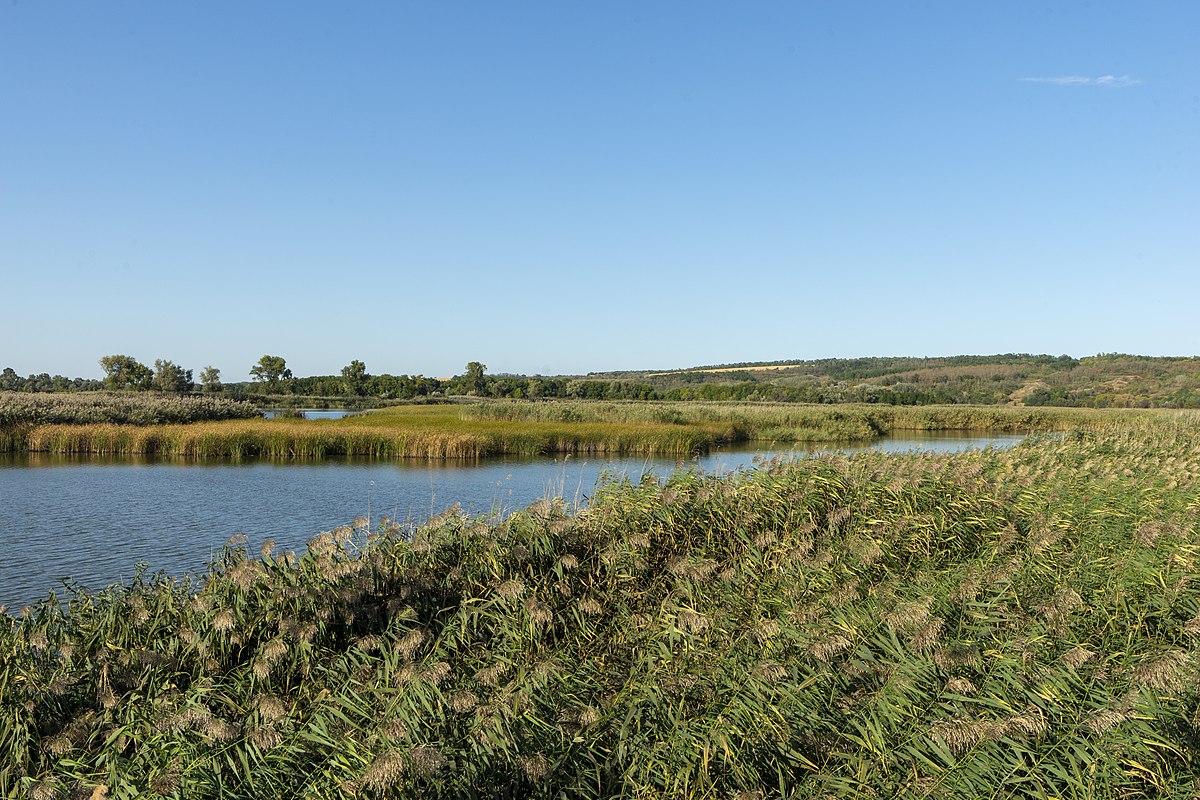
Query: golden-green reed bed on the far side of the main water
{"type": "Point", "coordinates": [495, 429]}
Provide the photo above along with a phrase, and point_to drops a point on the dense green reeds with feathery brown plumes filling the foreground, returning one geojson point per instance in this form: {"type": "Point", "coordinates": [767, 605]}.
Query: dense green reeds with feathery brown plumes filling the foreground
{"type": "Point", "coordinates": [1021, 623]}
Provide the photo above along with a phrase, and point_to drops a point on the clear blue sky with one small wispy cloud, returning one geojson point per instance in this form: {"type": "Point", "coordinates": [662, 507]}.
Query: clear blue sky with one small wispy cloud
{"type": "Point", "coordinates": [563, 188]}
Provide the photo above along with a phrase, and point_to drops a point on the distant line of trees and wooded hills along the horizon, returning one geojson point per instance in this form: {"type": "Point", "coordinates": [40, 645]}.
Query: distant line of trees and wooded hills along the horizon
{"type": "Point", "coordinates": [1103, 381]}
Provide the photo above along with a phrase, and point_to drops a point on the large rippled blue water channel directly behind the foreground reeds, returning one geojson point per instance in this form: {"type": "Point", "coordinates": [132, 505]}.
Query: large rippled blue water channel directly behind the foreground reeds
{"type": "Point", "coordinates": [94, 520]}
